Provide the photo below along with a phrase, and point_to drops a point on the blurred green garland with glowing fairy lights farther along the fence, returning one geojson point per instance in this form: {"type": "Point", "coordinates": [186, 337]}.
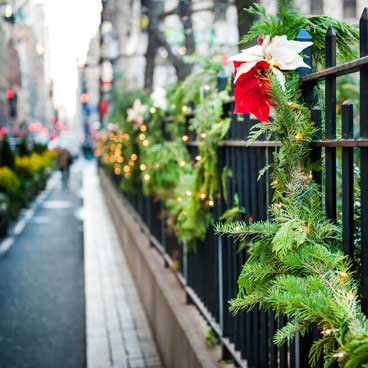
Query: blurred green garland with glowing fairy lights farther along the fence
{"type": "Point", "coordinates": [162, 164]}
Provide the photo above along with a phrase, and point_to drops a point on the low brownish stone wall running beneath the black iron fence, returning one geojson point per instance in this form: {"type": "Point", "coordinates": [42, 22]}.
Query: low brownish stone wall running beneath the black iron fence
{"type": "Point", "coordinates": [178, 328]}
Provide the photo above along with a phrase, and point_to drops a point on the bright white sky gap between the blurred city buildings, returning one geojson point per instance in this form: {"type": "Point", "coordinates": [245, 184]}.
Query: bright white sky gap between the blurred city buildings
{"type": "Point", "coordinates": [71, 24]}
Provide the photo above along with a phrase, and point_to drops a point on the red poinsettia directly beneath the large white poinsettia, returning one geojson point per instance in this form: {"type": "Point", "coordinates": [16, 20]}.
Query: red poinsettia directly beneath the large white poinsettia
{"type": "Point", "coordinates": [252, 91]}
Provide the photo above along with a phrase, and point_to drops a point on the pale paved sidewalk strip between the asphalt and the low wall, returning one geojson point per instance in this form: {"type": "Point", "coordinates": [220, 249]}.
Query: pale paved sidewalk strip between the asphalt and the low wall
{"type": "Point", "coordinates": [118, 334]}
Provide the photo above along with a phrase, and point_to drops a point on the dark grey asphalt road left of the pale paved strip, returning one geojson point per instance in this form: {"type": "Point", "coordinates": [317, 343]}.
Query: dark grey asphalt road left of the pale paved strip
{"type": "Point", "coordinates": [42, 286]}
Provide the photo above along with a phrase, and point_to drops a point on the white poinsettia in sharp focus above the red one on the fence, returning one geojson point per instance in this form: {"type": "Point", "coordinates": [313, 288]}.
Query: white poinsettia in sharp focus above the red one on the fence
{"type": "Point", "coordinates": [278, 52]}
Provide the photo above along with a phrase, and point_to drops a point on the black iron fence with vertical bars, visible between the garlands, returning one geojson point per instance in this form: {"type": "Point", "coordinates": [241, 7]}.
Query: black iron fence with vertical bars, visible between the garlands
{"type": "Point", "coordinates": [209, 275]}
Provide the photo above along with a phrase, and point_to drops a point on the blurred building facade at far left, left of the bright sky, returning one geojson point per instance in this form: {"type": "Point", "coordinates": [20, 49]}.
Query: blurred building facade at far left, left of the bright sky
{"type": "Point", "coordinates": [23, 59]}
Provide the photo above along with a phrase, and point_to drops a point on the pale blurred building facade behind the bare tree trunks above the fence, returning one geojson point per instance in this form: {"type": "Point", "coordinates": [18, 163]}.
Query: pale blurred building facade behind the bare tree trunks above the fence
{"type": "Point", "coordinates": [214, 27]}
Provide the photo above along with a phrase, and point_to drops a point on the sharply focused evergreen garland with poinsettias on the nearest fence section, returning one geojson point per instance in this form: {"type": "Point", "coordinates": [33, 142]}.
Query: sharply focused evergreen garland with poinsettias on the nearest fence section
{"type": "Point", "coordinates": [296, 266]}
